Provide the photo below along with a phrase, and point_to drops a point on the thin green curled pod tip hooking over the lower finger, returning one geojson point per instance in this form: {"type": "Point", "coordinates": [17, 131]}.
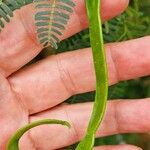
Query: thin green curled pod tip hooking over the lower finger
{"type": "Point", "coordinates": [14, 141]}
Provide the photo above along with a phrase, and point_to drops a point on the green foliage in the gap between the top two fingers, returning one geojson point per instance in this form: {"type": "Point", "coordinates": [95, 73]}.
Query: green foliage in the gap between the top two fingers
{"type": "Point", "coordinates": [133, 23]}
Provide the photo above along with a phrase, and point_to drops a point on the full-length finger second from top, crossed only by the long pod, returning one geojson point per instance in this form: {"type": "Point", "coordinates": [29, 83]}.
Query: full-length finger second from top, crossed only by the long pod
{"type": "Point", "coordinates": [56, 78]}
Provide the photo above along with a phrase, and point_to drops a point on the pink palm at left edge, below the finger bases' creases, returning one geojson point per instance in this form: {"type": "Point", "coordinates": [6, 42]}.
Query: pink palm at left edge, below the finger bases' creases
{"type": "Point", "coordinates": [12, 113]}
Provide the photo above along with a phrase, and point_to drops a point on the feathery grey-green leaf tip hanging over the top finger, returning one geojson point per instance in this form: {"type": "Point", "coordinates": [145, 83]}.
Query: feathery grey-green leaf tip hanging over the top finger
{"type": "Point", "coordinates": [51, 19]}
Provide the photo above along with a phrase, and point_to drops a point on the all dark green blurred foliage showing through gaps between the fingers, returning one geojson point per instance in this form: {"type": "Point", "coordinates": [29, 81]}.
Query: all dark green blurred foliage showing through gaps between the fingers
{"type": "Point", "coordinates": [133, 23]}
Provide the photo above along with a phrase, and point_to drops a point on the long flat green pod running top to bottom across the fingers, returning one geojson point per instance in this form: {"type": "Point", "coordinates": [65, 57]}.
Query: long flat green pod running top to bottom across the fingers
{"type": "Point", "coordinates": [99, 58]}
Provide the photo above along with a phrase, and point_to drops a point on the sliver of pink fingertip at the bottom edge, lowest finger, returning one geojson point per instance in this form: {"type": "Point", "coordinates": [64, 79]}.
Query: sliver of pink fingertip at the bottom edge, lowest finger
{"type": "Point", "coordinates": [118, 147]}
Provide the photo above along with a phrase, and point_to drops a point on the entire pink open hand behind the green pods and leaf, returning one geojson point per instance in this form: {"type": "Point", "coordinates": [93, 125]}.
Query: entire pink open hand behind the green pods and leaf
{"type": "Point", "coordinates": [25, 96]}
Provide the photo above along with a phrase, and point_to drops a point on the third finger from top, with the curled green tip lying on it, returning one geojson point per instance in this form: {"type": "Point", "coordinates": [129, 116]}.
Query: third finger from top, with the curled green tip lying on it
{"type": "Point", "coordinates": [126, 116]}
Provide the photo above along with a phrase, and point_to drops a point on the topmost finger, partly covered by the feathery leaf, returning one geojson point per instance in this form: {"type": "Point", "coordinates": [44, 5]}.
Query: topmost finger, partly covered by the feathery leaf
{"type": "Point", "coordinates": [18, 48]}
